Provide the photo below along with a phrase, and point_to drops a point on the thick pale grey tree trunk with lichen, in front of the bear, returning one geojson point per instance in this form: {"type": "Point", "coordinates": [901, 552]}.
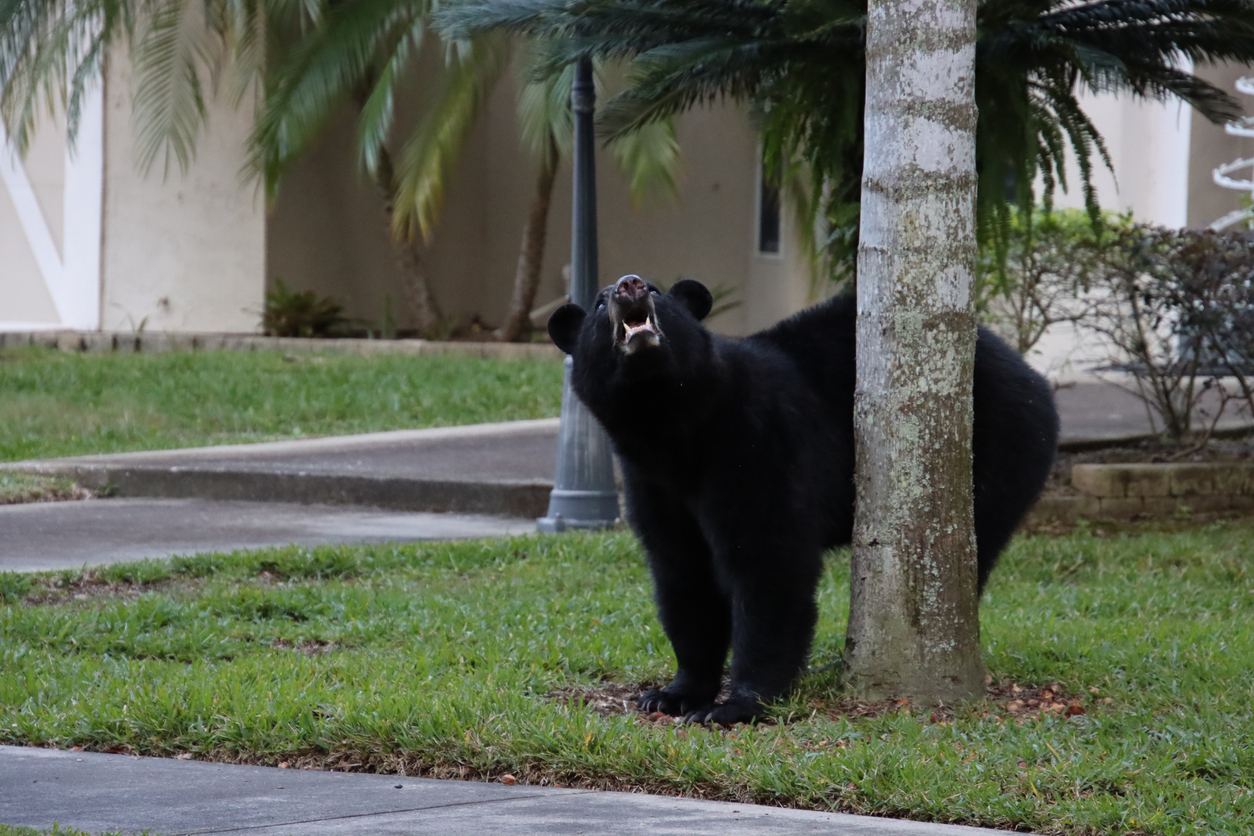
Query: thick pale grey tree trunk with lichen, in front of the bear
{"type": "Point", "coordinates": [914, 624]}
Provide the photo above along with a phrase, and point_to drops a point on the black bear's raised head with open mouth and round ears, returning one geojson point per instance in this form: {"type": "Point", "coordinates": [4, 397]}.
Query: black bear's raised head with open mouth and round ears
{"type": "Point", "coordinates": [635, 335]}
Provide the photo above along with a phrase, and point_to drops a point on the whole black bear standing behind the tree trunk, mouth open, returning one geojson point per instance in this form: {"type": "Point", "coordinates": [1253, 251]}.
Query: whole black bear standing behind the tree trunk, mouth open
{"type": "Point", "coordinates": [738, 458]}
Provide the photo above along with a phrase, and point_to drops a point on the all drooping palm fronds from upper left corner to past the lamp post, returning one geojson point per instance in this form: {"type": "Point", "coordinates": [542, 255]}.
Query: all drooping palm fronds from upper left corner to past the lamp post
{"type": "Point", "coordinates": [304, 62]}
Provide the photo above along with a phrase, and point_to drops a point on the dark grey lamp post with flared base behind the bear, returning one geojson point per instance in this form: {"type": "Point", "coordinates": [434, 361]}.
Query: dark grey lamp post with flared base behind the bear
{"type": "Point", "coordinates": [584, 487]}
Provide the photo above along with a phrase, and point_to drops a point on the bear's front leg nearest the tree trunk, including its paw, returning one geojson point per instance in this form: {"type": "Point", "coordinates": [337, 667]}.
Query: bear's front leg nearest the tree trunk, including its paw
{"type": "Point", "coordinates": [774, 615]}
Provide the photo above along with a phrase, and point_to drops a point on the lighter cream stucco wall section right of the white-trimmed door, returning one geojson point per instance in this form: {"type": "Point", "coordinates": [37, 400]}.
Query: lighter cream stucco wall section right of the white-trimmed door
{"type": "Point", "coordinates": [181, 253]}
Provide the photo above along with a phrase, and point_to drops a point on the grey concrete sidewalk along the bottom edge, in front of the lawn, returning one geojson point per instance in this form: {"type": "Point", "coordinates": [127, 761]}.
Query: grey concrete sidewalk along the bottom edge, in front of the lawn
{"type": "Point", "coordinates": [119, 793]}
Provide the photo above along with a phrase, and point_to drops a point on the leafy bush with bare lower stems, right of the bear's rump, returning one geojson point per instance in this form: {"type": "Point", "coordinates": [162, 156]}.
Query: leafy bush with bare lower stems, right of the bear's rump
{"type": "Point", "coordinates": [1174, 306]}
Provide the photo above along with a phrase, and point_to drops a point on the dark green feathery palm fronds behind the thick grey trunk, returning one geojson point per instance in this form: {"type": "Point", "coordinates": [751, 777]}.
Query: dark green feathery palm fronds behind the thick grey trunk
{"type": "Point", "coordinates": [801, 66]}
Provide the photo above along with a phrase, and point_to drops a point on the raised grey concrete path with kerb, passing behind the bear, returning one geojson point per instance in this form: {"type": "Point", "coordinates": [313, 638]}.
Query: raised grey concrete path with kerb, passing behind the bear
{"type": "Point", "coordinates": [505, 469]}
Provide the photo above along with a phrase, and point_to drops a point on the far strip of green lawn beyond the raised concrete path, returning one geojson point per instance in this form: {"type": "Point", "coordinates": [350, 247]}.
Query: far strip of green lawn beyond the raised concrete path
{"type": "Point", "coordinates": [55, 404]}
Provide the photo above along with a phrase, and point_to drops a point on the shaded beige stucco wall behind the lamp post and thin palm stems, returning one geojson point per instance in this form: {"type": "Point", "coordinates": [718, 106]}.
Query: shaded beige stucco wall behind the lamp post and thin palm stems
{"type": "Point", "coordinates": [327, 230]}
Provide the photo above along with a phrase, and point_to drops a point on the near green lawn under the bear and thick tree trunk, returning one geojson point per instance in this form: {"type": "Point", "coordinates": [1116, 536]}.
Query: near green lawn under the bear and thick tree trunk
{"type": "Point", "coordinates": [483, 659]}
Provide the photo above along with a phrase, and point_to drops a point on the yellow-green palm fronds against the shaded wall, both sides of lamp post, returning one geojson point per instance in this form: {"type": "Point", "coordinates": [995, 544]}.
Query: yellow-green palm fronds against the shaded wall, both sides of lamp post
{"type": "Point", "coordinates": [361, 53]}
